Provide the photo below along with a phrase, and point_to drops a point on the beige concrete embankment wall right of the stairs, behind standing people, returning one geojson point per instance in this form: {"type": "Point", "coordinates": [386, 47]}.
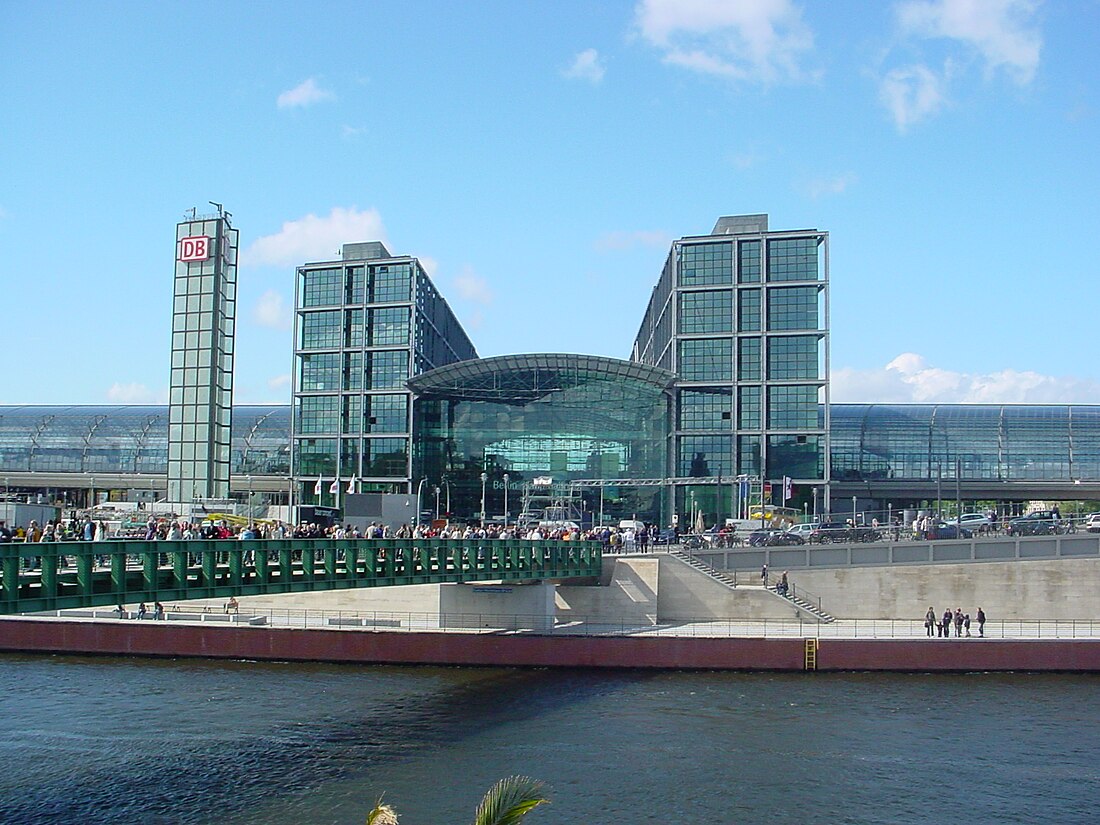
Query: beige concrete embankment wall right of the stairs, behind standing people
{"type": "Point", "coordinates": [1061, 589]}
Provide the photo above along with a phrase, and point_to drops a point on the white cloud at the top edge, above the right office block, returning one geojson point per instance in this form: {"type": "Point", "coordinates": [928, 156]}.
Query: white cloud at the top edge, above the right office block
{"type": "Point", "coordinates": [746, 41]}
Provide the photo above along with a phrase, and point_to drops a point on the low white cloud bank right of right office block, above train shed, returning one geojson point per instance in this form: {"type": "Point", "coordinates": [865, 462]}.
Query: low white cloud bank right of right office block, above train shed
{"type": "Point", "coordinates": [910, 379]}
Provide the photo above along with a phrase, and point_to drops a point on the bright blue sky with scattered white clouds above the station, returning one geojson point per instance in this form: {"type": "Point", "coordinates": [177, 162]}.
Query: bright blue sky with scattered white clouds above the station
{"type": "Point", "coordinates": [540, 159]}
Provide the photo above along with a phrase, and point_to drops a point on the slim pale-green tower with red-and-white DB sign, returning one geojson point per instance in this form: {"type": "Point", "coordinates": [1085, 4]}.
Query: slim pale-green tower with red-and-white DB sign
{"type": "Point", "coordinates": [201, 400]}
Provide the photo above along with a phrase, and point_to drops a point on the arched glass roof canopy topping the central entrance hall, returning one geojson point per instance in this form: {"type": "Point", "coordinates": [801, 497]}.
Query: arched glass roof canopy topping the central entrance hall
{"type": "Point", "coordinates": [523, 379]}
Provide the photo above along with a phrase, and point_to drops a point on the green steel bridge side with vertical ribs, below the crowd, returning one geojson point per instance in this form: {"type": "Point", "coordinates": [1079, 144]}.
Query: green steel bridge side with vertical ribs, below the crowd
{"type": "Point", "coordinates": [58, 576]}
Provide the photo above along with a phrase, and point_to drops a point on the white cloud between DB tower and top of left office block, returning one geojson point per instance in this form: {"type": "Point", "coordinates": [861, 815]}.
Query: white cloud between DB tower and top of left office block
{"type": "Point", "coordinates": [315, 239]}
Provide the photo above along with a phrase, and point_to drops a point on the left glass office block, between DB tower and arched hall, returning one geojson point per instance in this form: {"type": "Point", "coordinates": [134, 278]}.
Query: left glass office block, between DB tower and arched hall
{"type": "Point", "coordinates": [364, 326]}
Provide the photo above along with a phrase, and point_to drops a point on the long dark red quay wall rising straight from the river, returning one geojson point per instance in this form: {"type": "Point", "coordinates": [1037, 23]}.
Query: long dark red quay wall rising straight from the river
{"type": "Point", "coordinates": [263, 644]}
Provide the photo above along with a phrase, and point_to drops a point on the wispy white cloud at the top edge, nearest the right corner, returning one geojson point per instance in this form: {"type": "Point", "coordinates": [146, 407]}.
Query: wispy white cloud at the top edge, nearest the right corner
{"type": "Point", "coordinates": [1003, 32]}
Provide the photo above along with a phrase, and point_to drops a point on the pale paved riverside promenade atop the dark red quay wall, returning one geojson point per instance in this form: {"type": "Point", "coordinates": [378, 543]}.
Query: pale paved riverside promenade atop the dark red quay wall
{"type": "Point", "coordinates": [399, 622]}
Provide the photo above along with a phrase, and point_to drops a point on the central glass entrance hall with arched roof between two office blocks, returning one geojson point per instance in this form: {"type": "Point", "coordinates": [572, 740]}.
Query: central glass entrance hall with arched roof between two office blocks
{"type": "Point", "coordinates": [547, 427]}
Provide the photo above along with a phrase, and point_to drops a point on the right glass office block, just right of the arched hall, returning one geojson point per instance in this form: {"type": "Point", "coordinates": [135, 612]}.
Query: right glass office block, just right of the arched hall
{"type": "Point", "coordinates": [742, 317]}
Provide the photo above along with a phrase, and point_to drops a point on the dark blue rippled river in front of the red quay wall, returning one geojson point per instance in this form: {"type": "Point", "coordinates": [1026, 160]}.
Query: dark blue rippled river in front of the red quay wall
{"type": "Point", "coordinates": [160, 742]}
